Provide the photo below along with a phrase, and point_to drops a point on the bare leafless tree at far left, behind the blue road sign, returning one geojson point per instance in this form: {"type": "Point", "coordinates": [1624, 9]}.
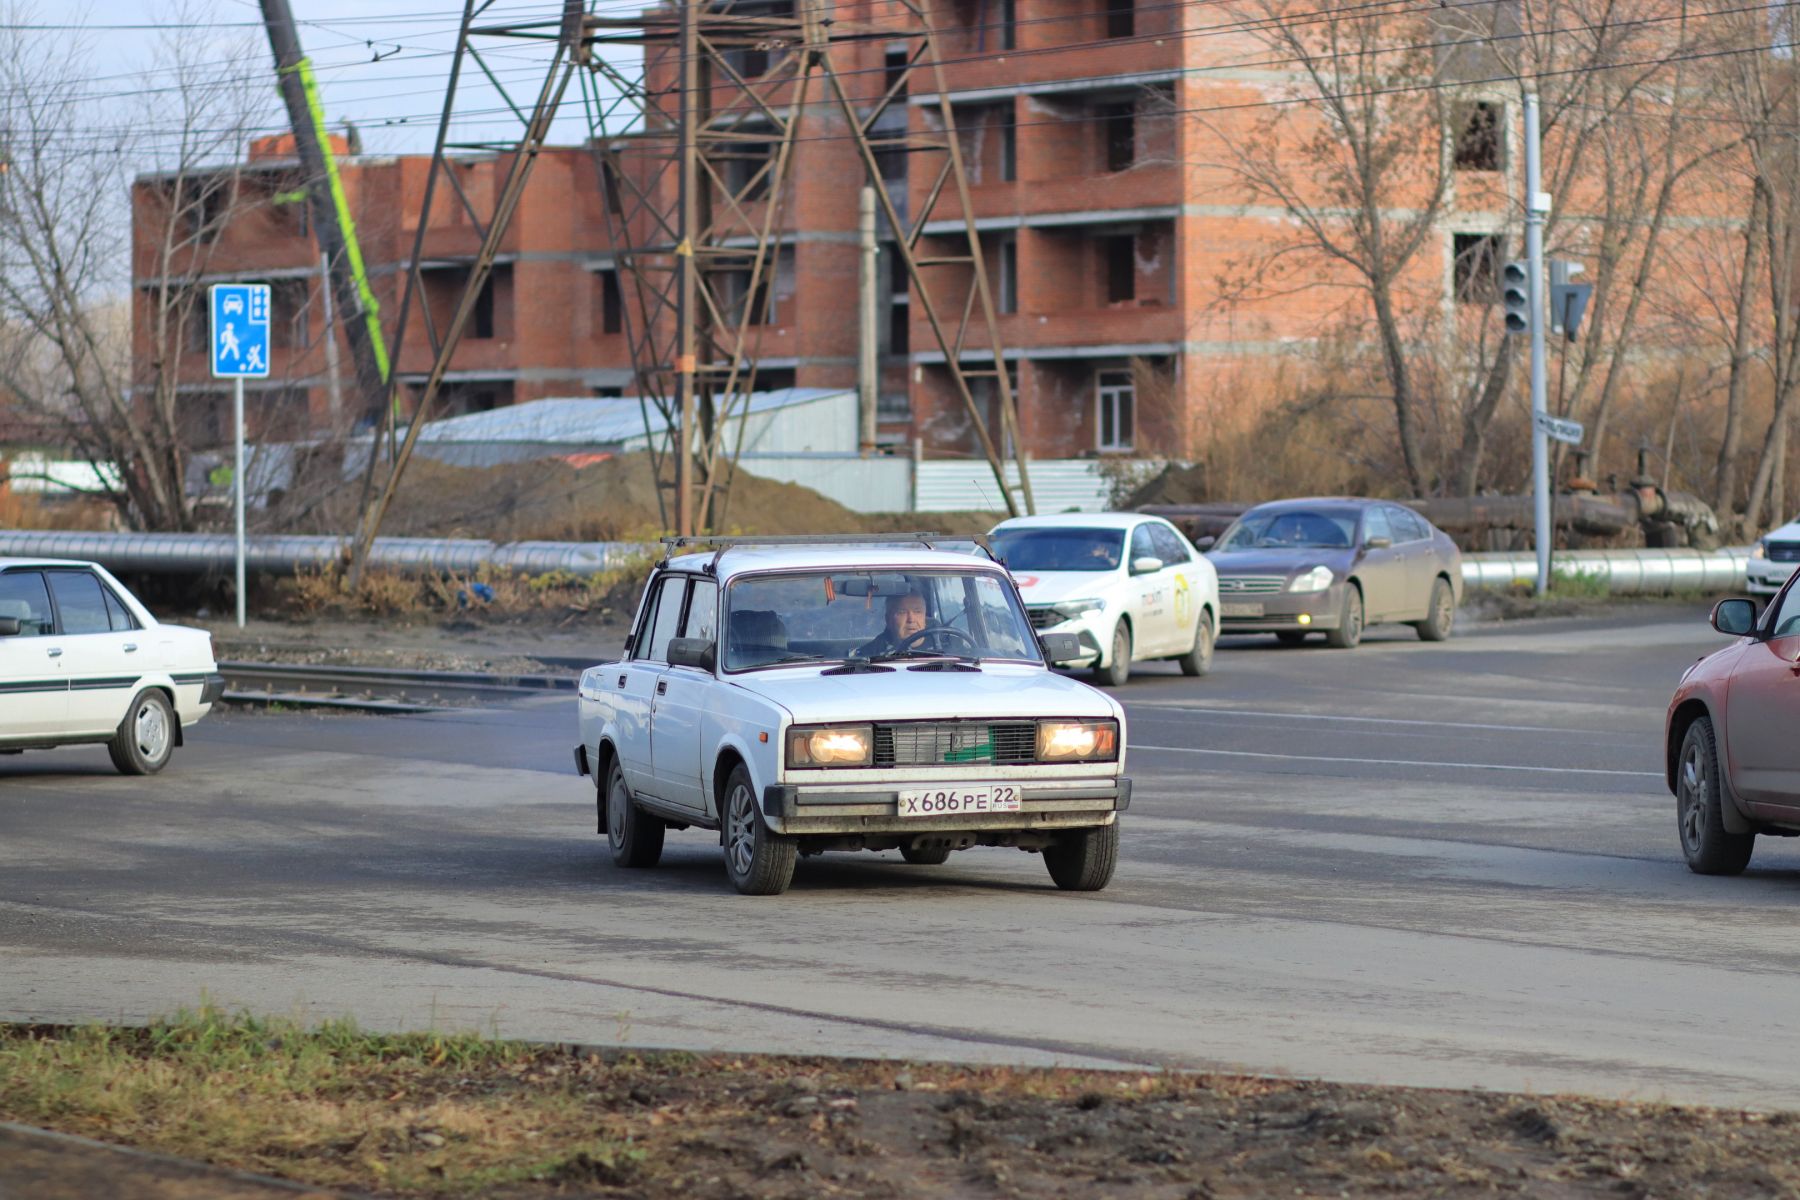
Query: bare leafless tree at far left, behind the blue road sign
{"type": "Point", "coordinates": [66, 251]}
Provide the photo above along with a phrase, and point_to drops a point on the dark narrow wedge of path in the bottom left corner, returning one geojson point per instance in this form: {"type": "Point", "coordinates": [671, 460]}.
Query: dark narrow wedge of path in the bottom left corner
{"type": "Point", "coordinates": [39, 1165]}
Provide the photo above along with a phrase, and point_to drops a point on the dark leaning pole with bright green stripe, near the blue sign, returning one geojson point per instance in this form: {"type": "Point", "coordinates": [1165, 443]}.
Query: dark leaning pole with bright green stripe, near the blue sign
{"type": "Point", "coordinates": [328, 208]}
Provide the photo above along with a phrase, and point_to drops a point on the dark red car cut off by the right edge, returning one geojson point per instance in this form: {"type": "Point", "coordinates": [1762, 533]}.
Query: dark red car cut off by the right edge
{"type": "Point", "coordinates": [1732, 748]}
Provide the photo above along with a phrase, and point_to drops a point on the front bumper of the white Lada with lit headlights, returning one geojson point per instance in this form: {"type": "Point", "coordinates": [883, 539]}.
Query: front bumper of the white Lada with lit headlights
{"type": "Point", "coordinates": [872, 810]}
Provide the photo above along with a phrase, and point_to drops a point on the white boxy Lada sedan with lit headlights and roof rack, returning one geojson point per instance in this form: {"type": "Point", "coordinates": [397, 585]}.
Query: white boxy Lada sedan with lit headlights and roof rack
{"type": "Point", "coordinates": [805, 699]}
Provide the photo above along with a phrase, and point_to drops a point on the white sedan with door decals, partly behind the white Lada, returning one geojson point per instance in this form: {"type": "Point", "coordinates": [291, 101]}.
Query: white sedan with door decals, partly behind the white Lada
{"type": "Point", "coordinates": [1129, 587]}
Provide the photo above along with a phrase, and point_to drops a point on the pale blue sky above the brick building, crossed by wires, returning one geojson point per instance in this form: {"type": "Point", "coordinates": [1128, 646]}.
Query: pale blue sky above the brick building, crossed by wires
{"type": "Point", "coordinates": [381, 64]}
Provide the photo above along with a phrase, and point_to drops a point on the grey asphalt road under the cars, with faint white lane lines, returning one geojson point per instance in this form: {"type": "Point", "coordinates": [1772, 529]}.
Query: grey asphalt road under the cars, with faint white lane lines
{"type": "Point", "coordinates": [1408, 864]}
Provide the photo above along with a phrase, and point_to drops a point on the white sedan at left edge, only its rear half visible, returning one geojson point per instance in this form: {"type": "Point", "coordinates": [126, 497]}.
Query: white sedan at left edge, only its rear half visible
{"type": "Point", "coordinates": [84, 663]}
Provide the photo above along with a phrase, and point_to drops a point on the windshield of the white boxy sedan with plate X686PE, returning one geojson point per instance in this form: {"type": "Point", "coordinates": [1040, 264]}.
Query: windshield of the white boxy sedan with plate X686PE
{"type": "Point", "coordinates": [836, 616]}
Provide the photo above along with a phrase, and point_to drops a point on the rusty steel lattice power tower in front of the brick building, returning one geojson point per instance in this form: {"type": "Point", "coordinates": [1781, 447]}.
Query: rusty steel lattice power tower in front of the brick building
{"type": "Point", "coordinates": [697, 148]}
